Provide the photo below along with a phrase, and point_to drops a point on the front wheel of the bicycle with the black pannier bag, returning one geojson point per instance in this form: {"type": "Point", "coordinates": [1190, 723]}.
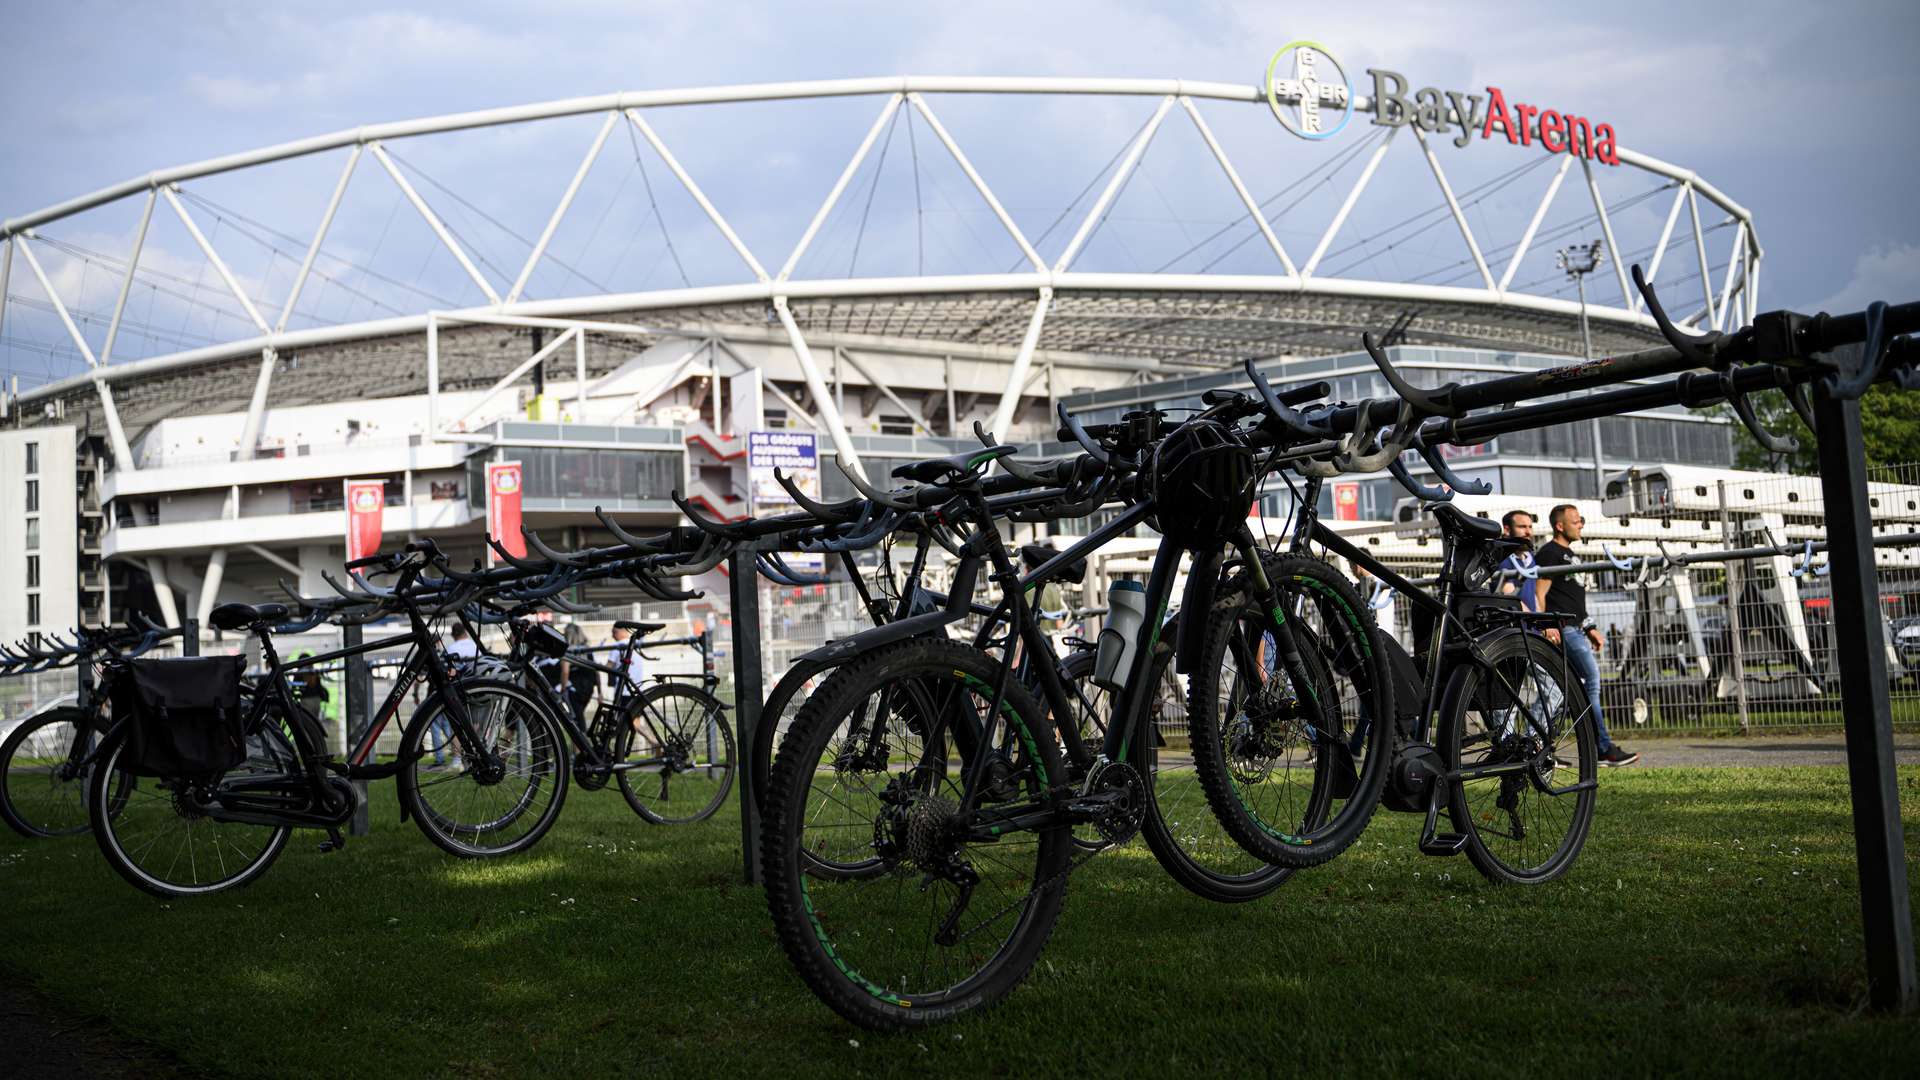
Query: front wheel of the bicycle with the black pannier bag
{"type": "Point", "coordinates": [492, 798]}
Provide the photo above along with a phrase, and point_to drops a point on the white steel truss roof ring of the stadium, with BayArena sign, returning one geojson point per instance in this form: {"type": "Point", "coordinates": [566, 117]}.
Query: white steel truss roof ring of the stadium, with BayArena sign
{"type": "Point", "coordinates": [1163, 224]}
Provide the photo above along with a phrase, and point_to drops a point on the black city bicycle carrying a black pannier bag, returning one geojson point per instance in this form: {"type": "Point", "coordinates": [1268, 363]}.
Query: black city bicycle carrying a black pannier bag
{"type": "Point", "coordinates": [199, 833]}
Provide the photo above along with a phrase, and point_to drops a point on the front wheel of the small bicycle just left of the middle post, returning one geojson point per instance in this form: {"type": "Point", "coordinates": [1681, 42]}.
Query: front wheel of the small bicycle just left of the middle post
{"type": "Point", "coordinates": [677, 756]}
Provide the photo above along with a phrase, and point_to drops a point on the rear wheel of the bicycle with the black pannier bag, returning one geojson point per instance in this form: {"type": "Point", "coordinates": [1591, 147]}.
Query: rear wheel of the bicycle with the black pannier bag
{"type": "Point", "coordinates": [158, 833]}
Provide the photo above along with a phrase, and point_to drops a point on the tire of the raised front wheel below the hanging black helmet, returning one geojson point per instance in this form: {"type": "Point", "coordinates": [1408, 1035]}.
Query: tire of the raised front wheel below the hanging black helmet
{"type": "Point", "coordinates": [1236, 756]}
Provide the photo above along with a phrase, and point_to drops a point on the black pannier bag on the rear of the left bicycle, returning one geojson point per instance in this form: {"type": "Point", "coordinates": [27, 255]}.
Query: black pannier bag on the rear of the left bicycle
{"type": "Point", "coordinates": [183, 714]}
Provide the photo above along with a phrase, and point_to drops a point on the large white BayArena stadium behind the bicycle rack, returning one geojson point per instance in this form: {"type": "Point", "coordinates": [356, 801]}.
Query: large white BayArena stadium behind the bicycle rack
{"type": "Point", "coordinates": [216, 378]}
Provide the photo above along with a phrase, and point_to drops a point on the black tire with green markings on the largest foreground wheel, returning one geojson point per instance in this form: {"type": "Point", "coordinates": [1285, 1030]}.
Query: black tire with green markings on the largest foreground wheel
{"type": "Point", "coordinates": [852, 971]}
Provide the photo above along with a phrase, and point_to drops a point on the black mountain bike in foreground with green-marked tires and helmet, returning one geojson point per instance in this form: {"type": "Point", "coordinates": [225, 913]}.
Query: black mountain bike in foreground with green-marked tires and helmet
{"type": "Point", "coordinates": [940, 766]}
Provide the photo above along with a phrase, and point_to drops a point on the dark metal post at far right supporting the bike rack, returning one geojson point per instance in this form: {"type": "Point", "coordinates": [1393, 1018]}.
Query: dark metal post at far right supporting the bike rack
{"type": "Point", "coordinates": [1869, 718]}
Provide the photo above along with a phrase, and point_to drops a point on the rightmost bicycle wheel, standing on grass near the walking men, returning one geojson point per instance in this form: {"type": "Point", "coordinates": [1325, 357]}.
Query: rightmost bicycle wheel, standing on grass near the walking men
{"type": "Point", "coordinates": [1522, 708]}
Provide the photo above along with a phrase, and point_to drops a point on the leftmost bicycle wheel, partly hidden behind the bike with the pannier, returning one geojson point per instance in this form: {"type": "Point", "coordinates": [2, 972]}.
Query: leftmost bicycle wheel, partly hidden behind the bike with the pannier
{"type": "Point", "coordinates": [39, 795]}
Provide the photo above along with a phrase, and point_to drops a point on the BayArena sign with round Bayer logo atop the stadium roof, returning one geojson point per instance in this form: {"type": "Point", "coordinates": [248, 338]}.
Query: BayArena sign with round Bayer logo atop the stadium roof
{"type": "Point", "coordinates": [1314, 99]}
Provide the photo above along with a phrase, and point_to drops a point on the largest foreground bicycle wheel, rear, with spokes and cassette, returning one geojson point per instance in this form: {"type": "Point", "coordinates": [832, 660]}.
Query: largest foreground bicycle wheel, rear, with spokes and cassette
{"type": "Point", "coordinates": [948, 920]}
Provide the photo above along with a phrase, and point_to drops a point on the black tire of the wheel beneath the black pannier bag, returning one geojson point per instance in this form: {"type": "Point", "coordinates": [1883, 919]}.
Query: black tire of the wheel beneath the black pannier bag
{"type": "Point", "coordinates": [118, 827]}
